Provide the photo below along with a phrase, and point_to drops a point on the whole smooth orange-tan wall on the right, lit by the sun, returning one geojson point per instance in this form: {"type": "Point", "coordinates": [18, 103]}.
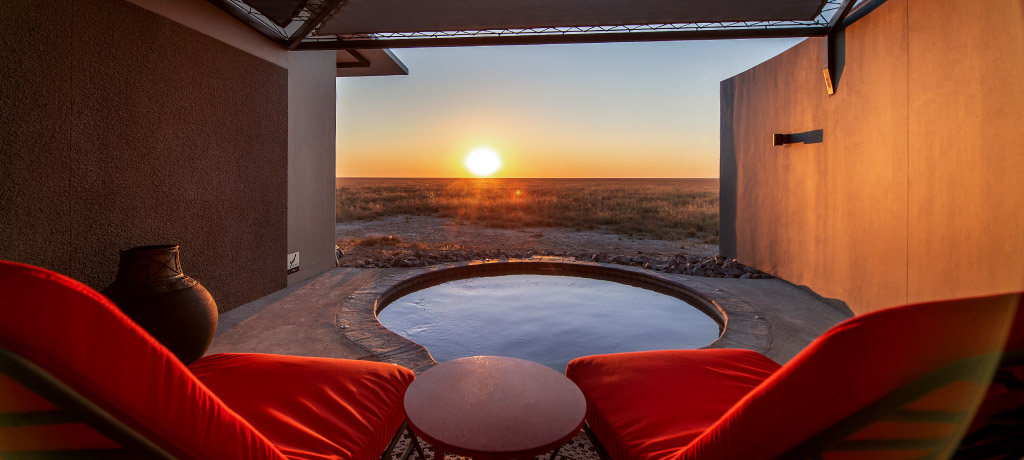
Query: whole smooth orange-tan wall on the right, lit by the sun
{"type": "Point", "coordinates": [914, 192]}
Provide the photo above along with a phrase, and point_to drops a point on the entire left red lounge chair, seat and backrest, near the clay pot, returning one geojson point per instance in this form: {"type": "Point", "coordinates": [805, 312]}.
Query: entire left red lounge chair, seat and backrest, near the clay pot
{"type": "Point", "coordinates": [78, 380]}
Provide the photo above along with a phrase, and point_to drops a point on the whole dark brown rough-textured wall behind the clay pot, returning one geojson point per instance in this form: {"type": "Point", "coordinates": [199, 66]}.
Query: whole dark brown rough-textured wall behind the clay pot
{"type": "Point", "coordinates": [122, 129]}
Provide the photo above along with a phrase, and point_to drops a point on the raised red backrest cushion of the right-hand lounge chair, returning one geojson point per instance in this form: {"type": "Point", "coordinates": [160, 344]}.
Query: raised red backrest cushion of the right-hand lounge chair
{"type": "Point", "coordinates": [851, 366]}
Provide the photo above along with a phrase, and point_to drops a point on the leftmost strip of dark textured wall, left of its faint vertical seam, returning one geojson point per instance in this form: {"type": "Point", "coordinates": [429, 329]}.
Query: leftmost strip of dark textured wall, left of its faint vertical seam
{"type": "Point", "coordinates": [35, 135]}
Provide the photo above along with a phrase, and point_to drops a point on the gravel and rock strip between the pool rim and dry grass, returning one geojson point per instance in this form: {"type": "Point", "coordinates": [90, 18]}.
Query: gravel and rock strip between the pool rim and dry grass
{"type": "Point", "coordinates": [418, 241]}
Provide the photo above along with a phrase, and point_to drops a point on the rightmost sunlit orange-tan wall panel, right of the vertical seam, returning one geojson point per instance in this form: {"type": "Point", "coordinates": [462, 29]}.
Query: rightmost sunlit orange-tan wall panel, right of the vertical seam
{"type": "Point", "coordinates": [967, 148]}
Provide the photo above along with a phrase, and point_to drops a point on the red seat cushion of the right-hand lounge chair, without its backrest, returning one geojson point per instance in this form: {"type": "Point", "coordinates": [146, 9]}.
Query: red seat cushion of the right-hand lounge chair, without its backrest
{"type": "Point", "coordinates": [649, 404]}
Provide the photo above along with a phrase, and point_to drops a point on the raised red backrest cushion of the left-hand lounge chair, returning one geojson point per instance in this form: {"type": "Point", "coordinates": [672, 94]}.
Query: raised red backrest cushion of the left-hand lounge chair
{"type": "Point", "coordinates": [84, 341]}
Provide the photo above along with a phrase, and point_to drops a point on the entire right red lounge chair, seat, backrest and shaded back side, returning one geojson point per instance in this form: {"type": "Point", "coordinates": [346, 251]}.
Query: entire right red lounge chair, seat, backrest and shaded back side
{"type": "Point", "coordinates": [898, 384]}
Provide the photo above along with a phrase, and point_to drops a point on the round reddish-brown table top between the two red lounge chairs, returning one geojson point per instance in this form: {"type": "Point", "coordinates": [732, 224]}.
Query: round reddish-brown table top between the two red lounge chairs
{"type": "Point", "coordinates": [493, 407]}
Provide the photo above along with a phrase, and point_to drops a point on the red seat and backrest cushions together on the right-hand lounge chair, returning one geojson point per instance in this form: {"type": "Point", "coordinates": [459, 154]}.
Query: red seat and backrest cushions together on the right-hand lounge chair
{"type": "Point", "coordinates": [848, 368]}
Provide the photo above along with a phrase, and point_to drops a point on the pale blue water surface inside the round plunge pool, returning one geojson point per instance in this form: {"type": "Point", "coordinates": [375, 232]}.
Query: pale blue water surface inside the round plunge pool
{"type": "Point", "coordinates": [545, 319]}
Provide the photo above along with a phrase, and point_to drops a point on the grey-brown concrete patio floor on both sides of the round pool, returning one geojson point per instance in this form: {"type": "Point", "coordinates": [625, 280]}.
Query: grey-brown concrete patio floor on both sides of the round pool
{"type": "Point", "coordinates": [315, 318]}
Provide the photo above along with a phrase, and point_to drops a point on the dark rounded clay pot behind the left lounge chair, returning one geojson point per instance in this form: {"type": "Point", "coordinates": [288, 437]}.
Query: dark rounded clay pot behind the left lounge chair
{"type": "Point", "coordinates": [175, 309]}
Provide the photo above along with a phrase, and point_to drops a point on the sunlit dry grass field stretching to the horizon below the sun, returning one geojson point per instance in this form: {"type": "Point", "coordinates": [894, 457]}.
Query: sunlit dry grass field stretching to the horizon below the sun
{"type": "Point", "coordinates": [665, 210]}
